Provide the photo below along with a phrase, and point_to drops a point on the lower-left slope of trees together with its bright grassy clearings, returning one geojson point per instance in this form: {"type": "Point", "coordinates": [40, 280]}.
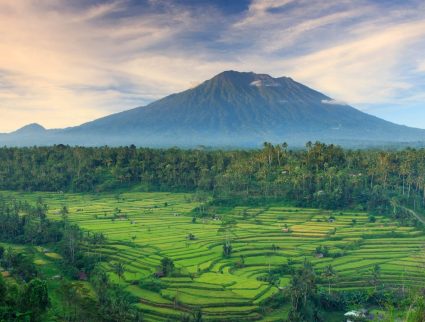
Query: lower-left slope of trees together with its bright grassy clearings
{"type": "Point", "coordinates": [35, 289]}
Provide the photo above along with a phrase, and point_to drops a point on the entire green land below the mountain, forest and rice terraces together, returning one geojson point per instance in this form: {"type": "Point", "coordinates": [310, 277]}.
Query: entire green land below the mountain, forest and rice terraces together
{"type": "Point", "coordinates": [267, 234]}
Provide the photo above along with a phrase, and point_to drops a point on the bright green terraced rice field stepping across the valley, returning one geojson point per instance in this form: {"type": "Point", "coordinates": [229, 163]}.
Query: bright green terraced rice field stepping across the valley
{"type": "Point", "coordinates": [157, 225]}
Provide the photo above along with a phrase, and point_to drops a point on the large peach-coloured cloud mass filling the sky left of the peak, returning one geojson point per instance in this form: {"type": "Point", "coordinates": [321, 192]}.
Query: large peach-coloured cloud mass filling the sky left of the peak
{"type": "Point", "coordinates": [64, 66]}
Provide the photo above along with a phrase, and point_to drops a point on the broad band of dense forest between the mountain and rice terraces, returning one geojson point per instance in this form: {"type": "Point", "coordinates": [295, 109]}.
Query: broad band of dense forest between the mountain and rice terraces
{"type": "Point", "coordinates": [324, 176]}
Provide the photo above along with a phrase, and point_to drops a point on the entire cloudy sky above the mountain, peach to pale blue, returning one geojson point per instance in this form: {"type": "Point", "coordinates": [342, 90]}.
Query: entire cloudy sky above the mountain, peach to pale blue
{"type": "Point", "coordinates": [63, 63]}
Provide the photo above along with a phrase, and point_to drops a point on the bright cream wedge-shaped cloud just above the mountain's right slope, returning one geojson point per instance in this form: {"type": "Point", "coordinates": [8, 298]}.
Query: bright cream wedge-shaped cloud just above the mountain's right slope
{"type": "Point", "coordinates": [370, 69]}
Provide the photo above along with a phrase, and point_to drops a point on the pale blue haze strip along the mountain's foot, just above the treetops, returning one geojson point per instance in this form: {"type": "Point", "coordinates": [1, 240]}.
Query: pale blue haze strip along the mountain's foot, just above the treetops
{"type": "Point", "coordinates": [206, 140]}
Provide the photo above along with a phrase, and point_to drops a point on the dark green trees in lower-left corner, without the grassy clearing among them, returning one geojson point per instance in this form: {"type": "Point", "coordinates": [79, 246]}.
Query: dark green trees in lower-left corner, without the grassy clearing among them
{"type": "Point", "coordinates": [28, 299]}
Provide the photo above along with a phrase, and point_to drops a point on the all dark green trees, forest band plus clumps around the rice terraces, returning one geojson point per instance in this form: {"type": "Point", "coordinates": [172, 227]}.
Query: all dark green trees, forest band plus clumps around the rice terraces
{"type": "Point", "coordinates": [323, 176]}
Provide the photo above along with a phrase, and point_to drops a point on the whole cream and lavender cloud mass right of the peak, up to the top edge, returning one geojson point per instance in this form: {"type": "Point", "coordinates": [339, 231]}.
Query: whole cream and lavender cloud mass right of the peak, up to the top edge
{"type": "Point", "coordinates": [349, 50]}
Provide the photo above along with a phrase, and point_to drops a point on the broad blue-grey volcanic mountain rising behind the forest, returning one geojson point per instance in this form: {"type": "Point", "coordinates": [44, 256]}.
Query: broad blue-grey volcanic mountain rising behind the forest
{"type": "Point", "coordinates": [232, 109]}
